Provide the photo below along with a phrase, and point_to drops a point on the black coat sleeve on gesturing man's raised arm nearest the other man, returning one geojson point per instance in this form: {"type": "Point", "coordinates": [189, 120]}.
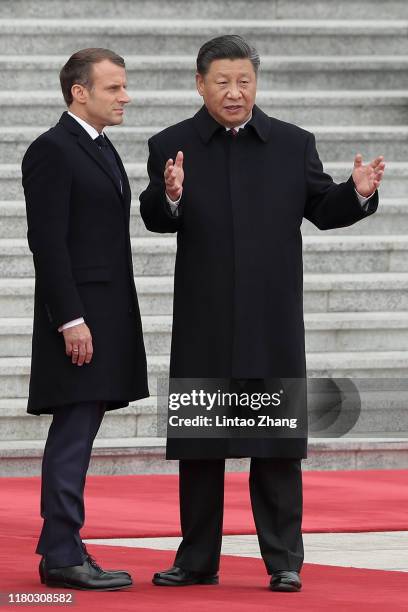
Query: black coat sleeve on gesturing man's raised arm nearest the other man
{"type": "Point", "coordinates": [154, 208]}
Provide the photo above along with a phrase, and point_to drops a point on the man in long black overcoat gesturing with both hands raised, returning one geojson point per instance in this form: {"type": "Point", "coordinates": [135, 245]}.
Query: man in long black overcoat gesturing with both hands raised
{"type": "Point", "coordinates": [235, 185]}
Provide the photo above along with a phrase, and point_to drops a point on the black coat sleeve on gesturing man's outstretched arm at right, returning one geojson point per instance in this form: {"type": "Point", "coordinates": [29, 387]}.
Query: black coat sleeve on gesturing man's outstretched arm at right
{"type": "Point", "coordinates": [330, 205]}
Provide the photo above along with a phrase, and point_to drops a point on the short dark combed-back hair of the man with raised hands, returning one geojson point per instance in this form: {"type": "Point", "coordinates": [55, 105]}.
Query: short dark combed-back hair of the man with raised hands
{"type": "Point", "coordinates": [230, 46]}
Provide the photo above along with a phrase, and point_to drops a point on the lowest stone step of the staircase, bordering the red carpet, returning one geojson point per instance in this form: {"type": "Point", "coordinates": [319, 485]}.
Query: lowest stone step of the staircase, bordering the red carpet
{"type": "Point", "coordinates": [114, 456]}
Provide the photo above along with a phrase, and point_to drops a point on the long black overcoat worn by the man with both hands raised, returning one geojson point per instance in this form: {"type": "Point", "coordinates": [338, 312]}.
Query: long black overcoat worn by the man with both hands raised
{"type": "Point", "coordinates": [238, 292]}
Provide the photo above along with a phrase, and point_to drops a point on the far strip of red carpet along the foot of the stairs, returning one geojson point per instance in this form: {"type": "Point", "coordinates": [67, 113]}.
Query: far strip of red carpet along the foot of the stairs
{"type": "Point", "coordinates": [143, 506]}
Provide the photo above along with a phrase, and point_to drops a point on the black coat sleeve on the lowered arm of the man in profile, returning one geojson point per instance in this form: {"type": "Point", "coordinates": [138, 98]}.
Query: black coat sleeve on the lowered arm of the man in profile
{"type": "Point", "coordinates": [47, 184]}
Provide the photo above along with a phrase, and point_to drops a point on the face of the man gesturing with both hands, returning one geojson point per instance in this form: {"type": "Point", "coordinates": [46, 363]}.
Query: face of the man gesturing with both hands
{"type": "Point", "coordinates": [228, 90]}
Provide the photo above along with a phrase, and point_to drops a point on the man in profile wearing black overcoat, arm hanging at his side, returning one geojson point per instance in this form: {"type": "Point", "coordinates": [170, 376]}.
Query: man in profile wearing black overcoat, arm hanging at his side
{"type": "Point", "coordinates": [87, 353]}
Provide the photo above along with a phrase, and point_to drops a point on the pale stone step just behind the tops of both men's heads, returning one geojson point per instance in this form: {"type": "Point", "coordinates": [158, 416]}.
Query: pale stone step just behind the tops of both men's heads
{"type": "Point", "coordinates": [163, 36]}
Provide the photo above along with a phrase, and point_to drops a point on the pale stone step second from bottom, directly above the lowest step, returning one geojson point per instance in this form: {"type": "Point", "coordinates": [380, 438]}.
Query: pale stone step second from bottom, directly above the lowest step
{"type": "Point", "coordinates": [382, 412]}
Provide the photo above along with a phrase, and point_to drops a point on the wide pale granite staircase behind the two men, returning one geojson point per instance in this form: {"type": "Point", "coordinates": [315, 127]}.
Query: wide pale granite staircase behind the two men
{"type": "Point", "coordinates": [336, 67]}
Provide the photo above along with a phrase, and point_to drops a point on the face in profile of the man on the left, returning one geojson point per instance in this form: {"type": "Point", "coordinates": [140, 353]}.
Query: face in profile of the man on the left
{"type": "Point", "coordinates": [103, 103]}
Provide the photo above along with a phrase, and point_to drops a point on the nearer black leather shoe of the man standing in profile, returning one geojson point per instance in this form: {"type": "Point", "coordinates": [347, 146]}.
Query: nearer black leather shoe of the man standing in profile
{"type": "Point", "coordinates": [86, 577]}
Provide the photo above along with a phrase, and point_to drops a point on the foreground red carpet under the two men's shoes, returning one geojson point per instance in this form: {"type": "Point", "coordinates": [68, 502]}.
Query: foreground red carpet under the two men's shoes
{"type": "Point", "coordinates": [242, 587]}
